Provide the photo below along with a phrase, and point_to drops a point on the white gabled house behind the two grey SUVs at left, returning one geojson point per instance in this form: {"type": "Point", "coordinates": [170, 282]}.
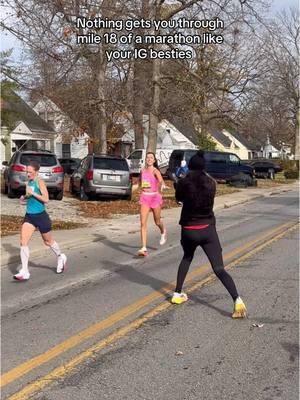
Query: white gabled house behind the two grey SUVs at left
{"type": "Point", "coordinates": [69, 140]}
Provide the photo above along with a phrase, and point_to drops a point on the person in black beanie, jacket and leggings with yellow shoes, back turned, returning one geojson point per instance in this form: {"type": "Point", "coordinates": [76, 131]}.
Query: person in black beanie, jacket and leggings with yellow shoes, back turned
{"type": "Point", "coordinates": [197, 192]}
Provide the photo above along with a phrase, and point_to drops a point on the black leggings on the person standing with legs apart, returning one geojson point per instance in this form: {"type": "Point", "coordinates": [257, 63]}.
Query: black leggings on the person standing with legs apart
{"type": "Point", "coordinates": [208, 239]}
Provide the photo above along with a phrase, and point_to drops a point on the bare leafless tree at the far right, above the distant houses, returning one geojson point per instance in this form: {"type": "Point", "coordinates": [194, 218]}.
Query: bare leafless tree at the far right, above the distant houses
{"type": "Point", "coordinates": [272, 107]}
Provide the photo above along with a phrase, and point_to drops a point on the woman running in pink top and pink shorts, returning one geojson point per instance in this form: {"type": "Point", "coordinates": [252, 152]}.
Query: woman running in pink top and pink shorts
{"type": "Point", "coordinates": [151, 183]}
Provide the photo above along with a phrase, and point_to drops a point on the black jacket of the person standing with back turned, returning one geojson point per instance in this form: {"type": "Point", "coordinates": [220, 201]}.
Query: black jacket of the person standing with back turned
{"type": "Point", "coordinates": [197, 193]}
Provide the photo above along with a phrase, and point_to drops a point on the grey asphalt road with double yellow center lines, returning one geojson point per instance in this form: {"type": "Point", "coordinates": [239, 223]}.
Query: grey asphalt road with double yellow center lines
{"type": "Point", "coordinates": [48, 321]}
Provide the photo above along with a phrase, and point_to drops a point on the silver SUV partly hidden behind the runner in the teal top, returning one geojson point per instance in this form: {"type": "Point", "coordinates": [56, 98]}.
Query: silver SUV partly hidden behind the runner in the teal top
{"type": "Point", "coordinates": [15, 176]}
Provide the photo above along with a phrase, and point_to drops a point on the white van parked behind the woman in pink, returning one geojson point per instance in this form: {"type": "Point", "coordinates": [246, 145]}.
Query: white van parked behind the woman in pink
{"type": "Point", "coordinates": [136, 160]}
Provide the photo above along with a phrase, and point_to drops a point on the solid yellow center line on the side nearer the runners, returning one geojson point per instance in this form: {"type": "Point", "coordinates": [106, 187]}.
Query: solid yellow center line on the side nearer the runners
{"type": "Point", "coordinates": [120, 315]}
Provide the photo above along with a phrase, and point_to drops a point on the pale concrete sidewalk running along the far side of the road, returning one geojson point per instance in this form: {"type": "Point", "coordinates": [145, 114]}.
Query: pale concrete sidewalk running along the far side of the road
{"type": "Point", "coordinates": [80, 237]}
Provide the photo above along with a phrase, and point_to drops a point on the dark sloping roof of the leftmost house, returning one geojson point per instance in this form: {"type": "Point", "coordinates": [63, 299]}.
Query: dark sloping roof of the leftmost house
{"type": "Point", "coordinates": [24, 113]}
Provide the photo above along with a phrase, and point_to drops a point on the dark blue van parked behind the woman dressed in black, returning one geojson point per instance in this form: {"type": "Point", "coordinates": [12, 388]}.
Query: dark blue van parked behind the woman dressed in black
{"type": "Point", "coordinates": [220, 165]}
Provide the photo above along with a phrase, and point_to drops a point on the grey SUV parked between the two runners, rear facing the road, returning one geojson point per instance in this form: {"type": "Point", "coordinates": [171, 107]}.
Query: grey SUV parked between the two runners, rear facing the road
{"type": "Point", "coordinates": [102, 175]}
